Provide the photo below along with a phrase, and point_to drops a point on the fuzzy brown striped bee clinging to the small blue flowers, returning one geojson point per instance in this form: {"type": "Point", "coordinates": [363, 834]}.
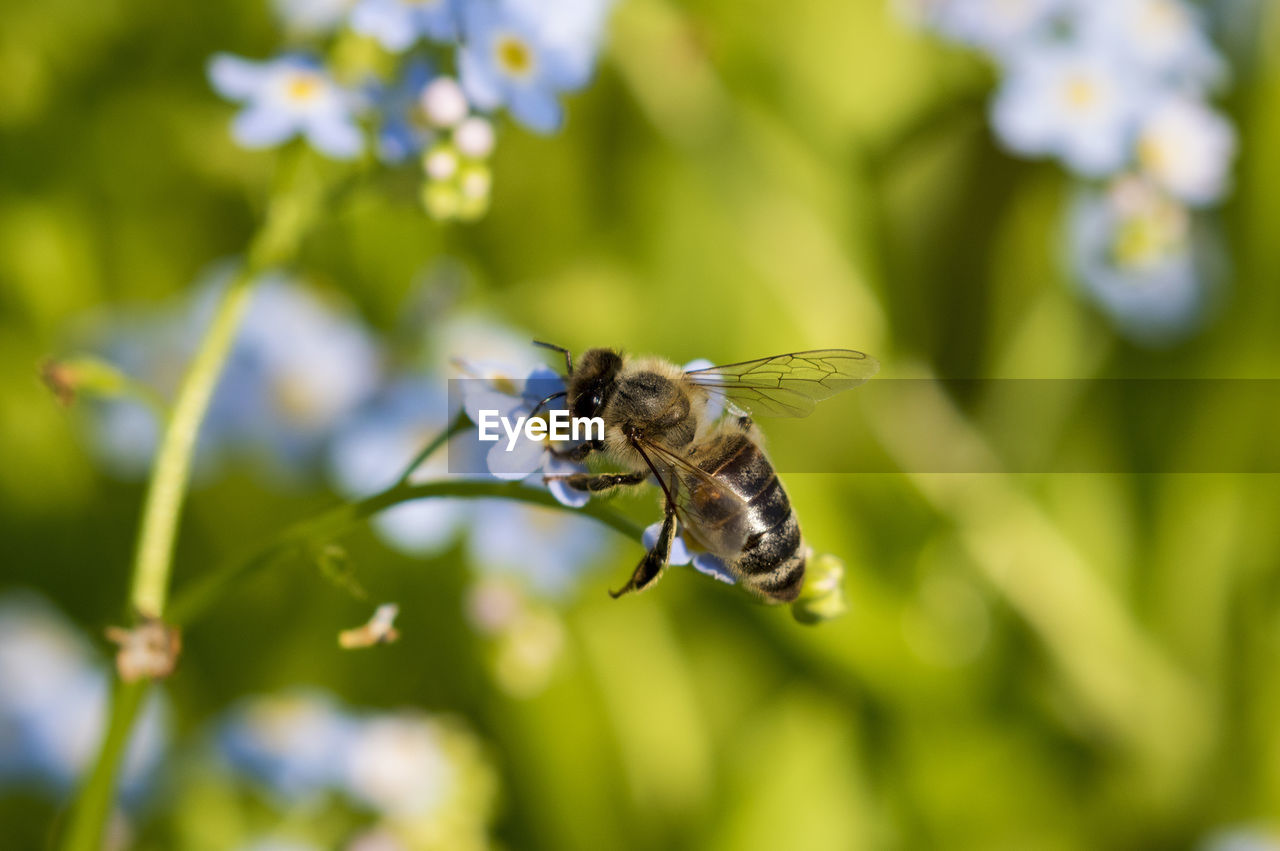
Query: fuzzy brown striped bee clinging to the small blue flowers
{"type": "Point", "coordinates": [693, 433]}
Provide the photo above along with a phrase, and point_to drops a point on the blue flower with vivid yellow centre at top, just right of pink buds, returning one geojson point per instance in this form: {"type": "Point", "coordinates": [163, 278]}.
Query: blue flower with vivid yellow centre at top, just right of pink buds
{"type": "Point", "coordinates": [522, 56]}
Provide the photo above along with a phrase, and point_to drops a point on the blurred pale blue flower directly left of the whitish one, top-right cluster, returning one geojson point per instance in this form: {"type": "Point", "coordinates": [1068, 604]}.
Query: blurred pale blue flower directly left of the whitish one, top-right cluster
{"type": "Point", "coordinates": [1073, 103]}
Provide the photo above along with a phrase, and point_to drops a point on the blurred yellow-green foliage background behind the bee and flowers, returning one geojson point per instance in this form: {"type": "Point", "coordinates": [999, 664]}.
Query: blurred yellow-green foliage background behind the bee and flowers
{"type": "Point", "coordinates": [1030, 662]}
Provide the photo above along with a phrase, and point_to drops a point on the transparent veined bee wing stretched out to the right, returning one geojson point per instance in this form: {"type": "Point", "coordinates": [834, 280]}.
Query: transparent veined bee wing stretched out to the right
{"type": "Point", "coordinates": [787, 386]}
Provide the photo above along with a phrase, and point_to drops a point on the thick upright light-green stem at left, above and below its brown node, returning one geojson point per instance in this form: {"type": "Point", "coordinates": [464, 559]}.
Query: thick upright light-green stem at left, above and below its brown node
{"type": "Point", "coordinates": [296, 202]}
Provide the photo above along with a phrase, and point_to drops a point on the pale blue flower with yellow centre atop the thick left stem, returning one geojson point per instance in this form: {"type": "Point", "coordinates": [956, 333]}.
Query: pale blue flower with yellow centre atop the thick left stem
{"type": "Point", "coordinates": [289, 97]}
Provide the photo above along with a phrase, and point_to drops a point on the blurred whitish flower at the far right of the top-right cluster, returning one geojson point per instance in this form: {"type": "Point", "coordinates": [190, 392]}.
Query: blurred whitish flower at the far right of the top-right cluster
{"type": "Point", "coordinates": [1187, 148]}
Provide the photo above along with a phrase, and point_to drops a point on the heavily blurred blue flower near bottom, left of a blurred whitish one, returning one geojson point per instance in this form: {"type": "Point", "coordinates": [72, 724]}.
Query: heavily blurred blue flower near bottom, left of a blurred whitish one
{"type": "Point", "coordinates": [295, 744]}
